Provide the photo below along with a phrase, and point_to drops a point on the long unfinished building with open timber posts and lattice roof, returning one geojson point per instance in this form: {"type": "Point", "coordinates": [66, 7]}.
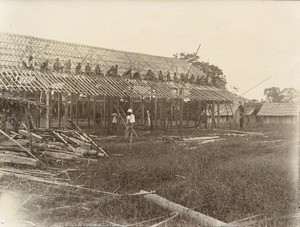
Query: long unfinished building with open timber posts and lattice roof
{"type": "Point", "coordinates": [90, 99]}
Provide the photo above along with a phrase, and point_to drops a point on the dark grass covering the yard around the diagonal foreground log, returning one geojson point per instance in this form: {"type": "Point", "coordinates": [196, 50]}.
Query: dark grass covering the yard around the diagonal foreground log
{"type": "Point", "coordinates": [230, 179]}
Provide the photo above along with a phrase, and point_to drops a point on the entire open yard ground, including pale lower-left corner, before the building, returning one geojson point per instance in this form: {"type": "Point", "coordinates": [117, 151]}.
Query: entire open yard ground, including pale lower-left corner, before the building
{"type": "Point", "coordinates": [220, 173]}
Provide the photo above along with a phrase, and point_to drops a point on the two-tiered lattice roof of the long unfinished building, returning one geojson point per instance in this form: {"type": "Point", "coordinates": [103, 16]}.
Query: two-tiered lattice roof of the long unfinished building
{"type": "Point", "coordinates": [15, 48]}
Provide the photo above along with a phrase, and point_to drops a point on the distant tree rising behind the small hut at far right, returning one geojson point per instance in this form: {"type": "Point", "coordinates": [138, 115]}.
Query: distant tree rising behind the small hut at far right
{"type": "Point", "coordinates": [274, 94]}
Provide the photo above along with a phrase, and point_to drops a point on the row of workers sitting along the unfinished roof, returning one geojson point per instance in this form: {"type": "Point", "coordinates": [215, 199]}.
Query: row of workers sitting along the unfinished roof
{"type": "Point", "coordinates": [113, 72]}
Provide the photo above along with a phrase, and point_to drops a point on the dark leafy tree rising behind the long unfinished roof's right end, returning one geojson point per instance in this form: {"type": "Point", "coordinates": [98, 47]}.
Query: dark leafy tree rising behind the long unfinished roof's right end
{"type": "Point", "coordinates": [213, 71]}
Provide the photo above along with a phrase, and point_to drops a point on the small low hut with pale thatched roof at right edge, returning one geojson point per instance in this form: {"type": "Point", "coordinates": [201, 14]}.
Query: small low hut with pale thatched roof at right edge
{"type": "Point", "coordinates": [279, 113]}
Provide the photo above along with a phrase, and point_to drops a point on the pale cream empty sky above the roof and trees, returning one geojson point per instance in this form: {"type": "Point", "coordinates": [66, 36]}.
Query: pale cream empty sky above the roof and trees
{"type": "Point", "coordinates": [249, 41]}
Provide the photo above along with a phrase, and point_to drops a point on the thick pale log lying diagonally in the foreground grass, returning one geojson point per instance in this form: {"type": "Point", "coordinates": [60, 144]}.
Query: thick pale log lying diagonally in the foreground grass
{"type": "Point", "coordinates": [202, 219]}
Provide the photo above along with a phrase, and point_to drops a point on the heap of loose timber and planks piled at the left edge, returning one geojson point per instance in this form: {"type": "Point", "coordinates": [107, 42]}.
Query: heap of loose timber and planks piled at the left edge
{"type": "Point", "coordinates": [27, 147]}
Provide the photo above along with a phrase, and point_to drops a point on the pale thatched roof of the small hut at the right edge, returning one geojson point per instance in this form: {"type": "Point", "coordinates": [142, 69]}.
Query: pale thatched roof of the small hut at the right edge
{"type": "Point", "coordinates": [279, 109]}
